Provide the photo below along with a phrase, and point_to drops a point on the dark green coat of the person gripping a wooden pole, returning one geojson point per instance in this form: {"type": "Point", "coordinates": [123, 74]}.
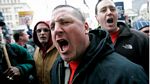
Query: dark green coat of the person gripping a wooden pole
{"type": "Point", "coordinates": [20, 58]}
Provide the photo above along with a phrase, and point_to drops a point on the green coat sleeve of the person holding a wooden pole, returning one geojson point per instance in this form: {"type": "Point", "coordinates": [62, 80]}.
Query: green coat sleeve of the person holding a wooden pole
{"type": "Point", "coordinates": [24, 61]}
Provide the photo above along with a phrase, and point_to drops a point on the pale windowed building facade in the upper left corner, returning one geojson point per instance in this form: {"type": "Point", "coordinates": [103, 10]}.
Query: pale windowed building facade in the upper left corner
{"type": "Point", "coordinates": [10, 10]}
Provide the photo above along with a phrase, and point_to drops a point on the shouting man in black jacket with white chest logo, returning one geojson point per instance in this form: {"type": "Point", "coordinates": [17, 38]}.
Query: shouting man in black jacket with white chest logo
{"type": "Point", "coordinates": [130, 43]}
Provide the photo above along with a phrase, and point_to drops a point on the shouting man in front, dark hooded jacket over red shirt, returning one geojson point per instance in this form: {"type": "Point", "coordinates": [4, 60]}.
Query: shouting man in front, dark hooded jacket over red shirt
{"type": "Point", "coordinates": [87, 57]}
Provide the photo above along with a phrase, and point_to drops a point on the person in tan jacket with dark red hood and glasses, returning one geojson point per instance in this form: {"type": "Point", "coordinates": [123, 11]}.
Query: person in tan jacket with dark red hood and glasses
{"type": "Point", "coordinates": [45, 53]}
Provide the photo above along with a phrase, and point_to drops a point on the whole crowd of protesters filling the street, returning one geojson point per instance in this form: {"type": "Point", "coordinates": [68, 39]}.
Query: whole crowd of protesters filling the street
{"type": "Point", "coordinates": [67, 51]}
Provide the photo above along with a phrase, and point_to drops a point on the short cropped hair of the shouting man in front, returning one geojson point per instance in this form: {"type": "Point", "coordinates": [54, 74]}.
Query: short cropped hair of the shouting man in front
{"type": "Point", "coordinates": [77, 12]}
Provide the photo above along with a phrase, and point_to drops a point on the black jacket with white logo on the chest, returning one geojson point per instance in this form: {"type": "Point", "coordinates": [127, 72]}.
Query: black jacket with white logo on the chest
{"type": "Point", "coordinates": [134, 45]}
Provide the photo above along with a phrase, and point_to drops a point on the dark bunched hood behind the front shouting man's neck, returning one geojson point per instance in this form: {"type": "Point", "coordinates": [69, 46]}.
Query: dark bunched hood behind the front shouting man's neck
{"type": "Point", "coordinates": [100, 46]}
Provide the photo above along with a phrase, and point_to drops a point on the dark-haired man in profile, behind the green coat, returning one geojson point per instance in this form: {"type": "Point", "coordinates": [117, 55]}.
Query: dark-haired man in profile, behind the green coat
{"type": "Point", "coordinates": [21, 38]}
